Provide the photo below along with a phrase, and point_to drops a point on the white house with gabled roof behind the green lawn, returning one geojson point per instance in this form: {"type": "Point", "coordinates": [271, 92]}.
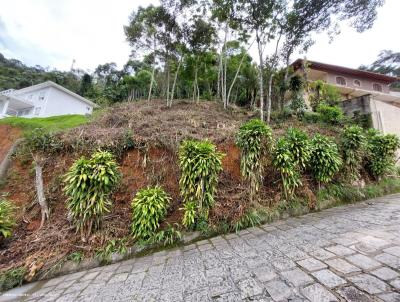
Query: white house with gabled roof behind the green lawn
{"type": "Point", "coordinates": [43, 100]}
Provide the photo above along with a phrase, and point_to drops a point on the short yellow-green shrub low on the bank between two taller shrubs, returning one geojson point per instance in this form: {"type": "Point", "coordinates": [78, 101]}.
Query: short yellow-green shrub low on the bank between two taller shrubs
{"type": "Point", "coordinates": [148, 207]}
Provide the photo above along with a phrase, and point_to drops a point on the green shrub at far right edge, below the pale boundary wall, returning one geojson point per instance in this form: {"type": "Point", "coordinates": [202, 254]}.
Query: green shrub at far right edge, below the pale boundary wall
{"type": "Point", "coordinates": [381, 151]}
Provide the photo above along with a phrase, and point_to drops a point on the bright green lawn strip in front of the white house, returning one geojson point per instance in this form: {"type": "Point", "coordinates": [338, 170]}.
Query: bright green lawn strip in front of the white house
{"type": "Point", "coordinates": [54, 123]}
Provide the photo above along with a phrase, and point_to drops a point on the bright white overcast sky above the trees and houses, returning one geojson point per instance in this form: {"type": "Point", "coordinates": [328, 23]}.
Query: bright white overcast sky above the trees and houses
{"type": "Point", "coordinates": [54, 33]}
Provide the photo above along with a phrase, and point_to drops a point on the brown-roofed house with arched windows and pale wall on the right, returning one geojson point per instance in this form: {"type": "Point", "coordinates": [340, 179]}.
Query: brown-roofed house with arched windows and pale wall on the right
{"type": "Point", "coordinates": [362, 91]}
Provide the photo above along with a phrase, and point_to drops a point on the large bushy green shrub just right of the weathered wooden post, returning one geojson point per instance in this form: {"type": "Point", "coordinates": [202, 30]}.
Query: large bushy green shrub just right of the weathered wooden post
{"type": "Point", "coordinates": [88, 185]}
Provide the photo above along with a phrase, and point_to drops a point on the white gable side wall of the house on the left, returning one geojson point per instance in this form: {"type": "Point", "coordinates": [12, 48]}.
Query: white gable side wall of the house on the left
{"type": "Point", "coordinates": [60, 103]}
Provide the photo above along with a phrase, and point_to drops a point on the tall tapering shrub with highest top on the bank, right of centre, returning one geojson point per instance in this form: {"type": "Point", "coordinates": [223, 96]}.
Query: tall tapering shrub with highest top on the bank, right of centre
{"type": "Point", "coordinates": [253, 139]}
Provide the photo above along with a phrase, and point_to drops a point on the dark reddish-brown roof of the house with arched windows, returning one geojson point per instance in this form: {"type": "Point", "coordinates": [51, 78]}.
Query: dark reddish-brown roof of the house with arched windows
{"type": "Point", "coordinates": [345, 70]}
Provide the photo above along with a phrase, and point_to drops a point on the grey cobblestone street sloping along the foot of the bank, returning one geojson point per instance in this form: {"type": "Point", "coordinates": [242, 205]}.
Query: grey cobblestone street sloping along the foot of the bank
{"type": "Point", "coordinates": [348, 253]}
